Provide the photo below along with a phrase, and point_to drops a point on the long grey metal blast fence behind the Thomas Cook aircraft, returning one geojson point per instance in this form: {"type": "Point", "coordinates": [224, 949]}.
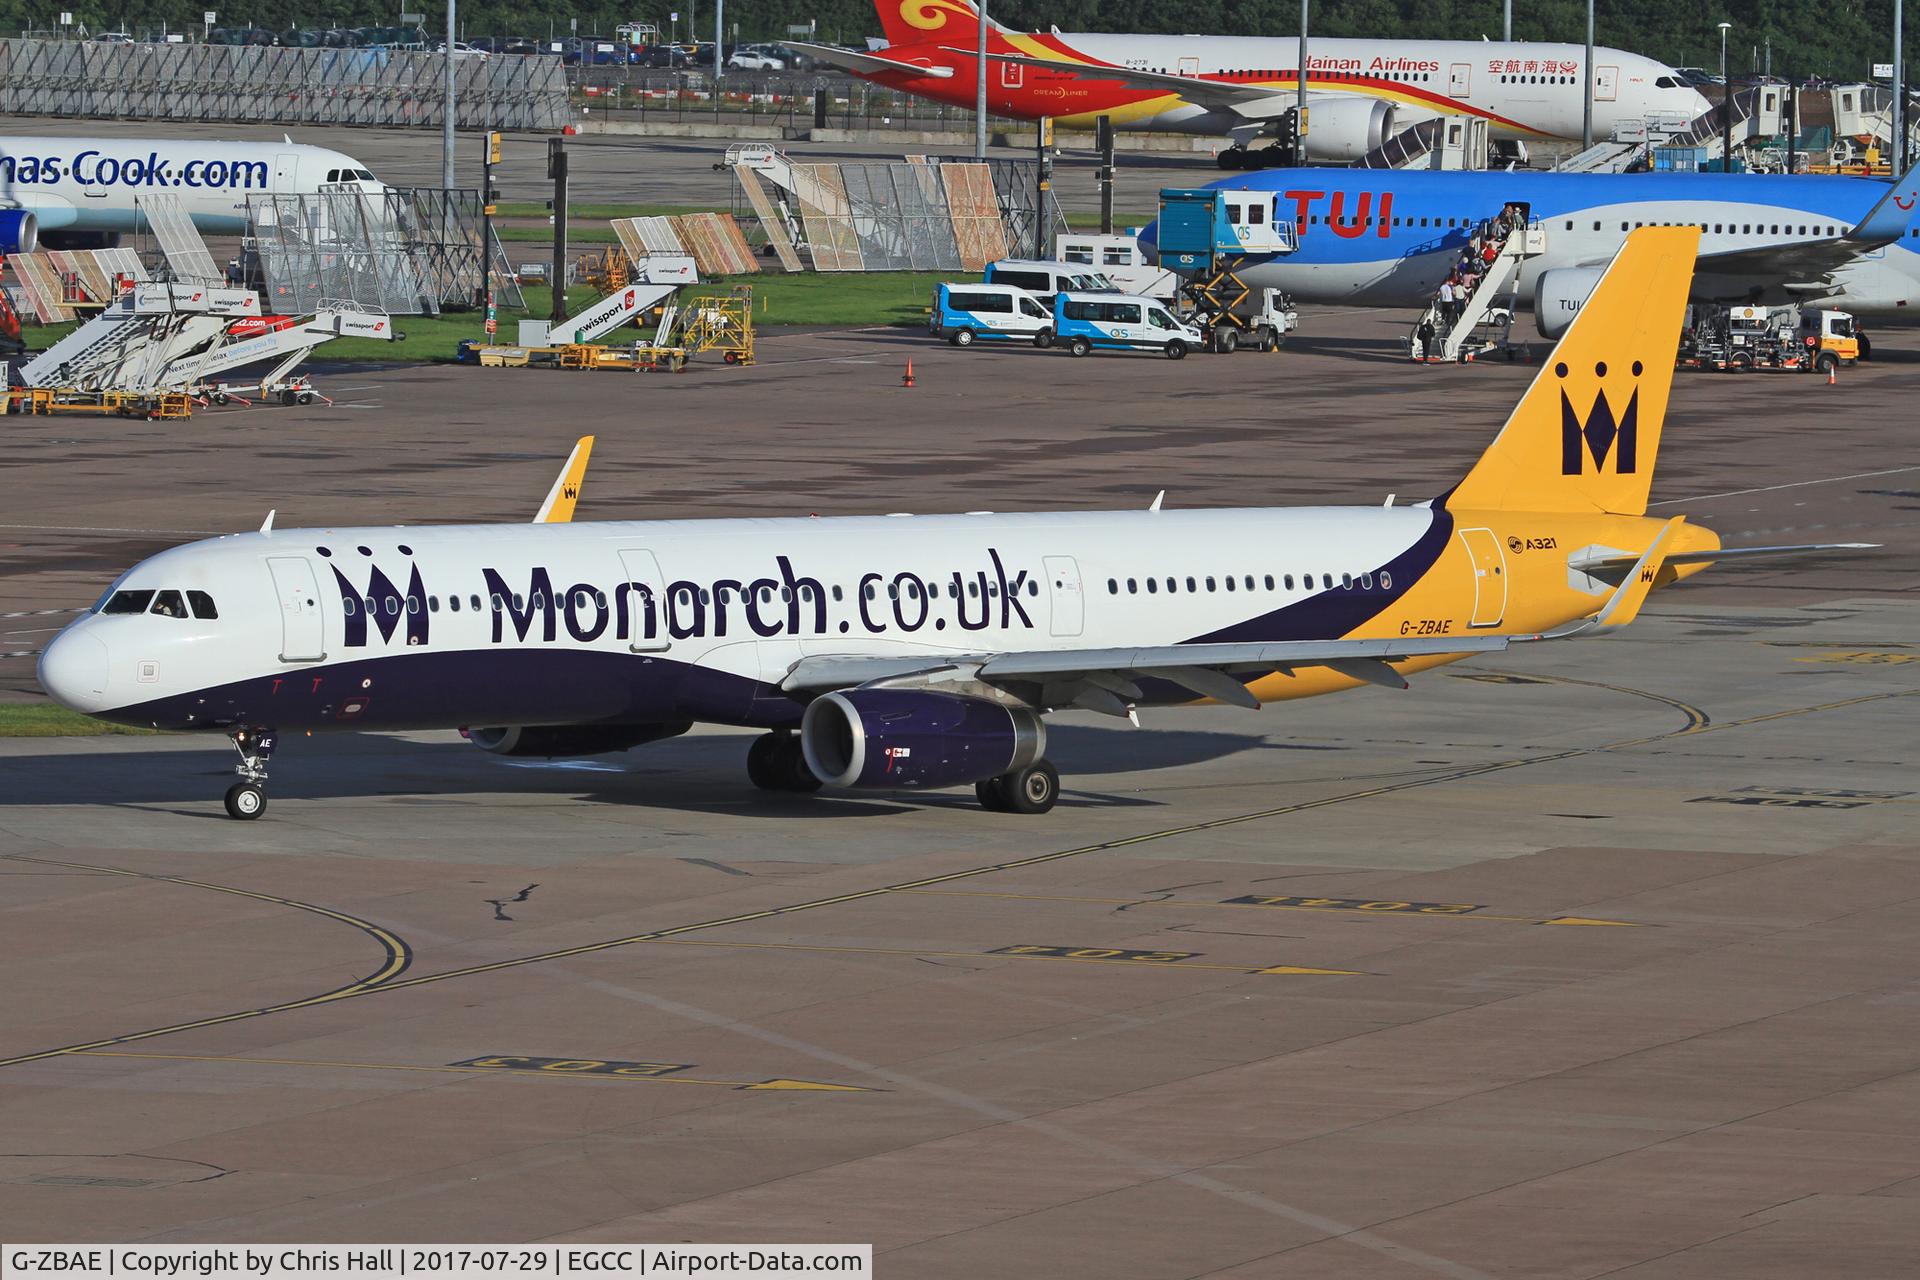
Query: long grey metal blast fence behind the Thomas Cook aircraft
{"type": "Point", "coordinates": [277, 85]}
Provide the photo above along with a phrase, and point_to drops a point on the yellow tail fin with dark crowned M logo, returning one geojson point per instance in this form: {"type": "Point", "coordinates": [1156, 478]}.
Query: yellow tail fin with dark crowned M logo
{"type": "Point", "coordinates": [1589, 429]}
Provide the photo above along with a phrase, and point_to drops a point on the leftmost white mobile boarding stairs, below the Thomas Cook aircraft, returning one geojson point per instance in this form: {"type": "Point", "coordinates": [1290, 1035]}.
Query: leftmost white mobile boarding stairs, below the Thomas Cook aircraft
{"type": "Point", "coordinates": [135, 341]}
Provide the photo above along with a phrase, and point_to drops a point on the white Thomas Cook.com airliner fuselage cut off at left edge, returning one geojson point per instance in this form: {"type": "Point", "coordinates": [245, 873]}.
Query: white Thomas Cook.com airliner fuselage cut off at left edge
{"type": "Point", "coordinates": [95, 185]}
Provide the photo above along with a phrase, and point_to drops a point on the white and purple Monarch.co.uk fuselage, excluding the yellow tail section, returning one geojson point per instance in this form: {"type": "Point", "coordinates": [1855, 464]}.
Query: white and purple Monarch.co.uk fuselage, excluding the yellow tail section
{"type": "Point", "coordinates": [698, 621]}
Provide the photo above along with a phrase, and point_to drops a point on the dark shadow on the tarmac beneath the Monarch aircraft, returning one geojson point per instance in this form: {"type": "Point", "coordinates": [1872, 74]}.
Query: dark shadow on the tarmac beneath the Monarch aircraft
{"type": "Point", "coordinates": [706, 774]}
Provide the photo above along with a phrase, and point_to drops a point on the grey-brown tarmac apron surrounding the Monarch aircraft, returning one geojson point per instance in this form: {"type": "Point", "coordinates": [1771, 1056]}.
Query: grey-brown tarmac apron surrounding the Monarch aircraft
{"type": "Point", "coordinates": [1587, 960]}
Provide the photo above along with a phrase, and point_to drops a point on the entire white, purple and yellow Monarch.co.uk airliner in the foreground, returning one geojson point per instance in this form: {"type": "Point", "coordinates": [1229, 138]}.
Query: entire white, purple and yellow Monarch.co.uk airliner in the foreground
{"type": "Point", "coordinates": [913, 652]}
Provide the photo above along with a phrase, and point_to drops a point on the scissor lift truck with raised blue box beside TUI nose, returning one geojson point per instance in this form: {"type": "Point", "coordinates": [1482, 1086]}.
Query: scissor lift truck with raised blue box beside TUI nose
{"type": "Point", "coordinates": [1209, 237]}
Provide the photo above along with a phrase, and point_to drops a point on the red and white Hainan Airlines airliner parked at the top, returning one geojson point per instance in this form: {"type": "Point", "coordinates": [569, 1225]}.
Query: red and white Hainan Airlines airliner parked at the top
{"type": "Point", "coordinates": [1360, 93]}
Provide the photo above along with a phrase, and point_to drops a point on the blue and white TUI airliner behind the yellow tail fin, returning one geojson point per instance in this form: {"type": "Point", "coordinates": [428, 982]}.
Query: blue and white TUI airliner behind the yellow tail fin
{"type": "Point", "coordinates": [1387, 239]}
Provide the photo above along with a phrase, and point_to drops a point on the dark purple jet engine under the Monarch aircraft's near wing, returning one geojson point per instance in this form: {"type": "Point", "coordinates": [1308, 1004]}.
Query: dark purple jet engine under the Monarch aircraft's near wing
{"type": "Point", "coordinates": [913, 738]}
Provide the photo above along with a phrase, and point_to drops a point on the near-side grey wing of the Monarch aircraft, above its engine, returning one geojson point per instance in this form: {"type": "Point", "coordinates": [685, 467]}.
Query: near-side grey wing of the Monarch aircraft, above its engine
{"type": "Point", "coordinates": [1103, 678]}
